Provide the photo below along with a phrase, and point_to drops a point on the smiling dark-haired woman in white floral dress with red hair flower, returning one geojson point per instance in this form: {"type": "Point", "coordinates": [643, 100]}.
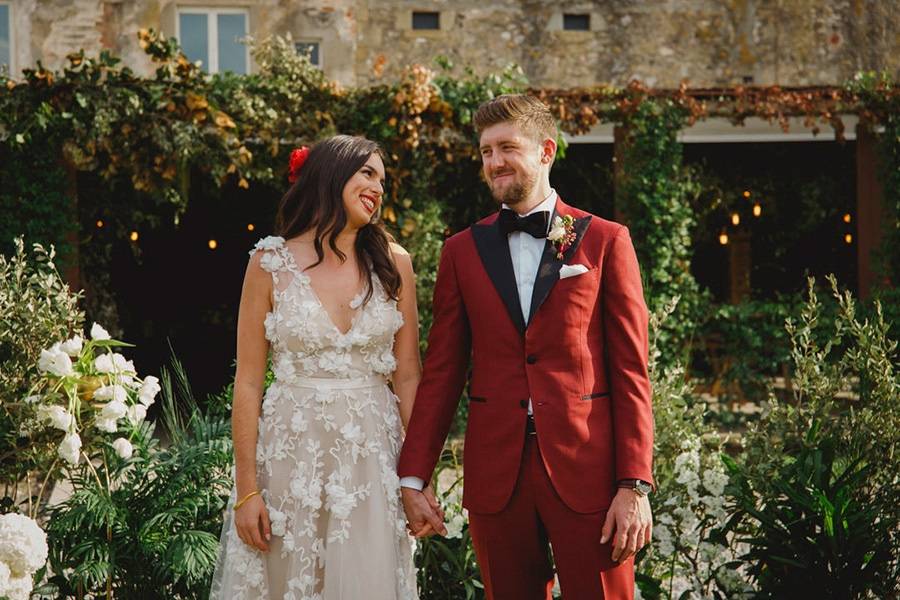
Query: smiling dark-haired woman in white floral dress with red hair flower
{"type": "Point", "coordinates": [315, 513]}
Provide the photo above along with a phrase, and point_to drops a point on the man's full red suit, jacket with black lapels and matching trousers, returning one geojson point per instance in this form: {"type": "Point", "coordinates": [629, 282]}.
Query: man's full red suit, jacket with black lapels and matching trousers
{"type": "Point", "coordinates": [582, 361]}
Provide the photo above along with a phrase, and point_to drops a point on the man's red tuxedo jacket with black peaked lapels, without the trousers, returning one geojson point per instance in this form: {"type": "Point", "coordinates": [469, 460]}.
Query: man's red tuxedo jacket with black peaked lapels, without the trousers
{"type": "Point", "coordinates": [581, 359]}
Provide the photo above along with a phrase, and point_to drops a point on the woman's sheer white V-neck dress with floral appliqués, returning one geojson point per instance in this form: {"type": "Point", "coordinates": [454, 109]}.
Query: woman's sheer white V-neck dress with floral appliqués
{"type": "Point", "coordinates": [326, 457]}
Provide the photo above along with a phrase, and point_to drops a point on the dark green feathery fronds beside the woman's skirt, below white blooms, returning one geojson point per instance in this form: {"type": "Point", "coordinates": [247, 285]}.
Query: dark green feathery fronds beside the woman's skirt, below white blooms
{"type": "Point", "coordinates": [151, 522]}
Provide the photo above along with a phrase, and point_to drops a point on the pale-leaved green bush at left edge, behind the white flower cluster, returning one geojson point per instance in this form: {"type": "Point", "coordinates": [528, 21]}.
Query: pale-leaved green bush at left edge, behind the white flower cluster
{"type": "Point", "coordinates": [38, 310]}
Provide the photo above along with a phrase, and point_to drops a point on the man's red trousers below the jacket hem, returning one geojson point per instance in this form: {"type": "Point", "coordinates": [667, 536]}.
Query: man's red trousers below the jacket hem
{"type": "Point", "coordinates": [512, 545]}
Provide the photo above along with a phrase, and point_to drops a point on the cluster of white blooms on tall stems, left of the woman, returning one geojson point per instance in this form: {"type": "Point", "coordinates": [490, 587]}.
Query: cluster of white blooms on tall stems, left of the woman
{"type": "Point", "coordinates": [89, 390]}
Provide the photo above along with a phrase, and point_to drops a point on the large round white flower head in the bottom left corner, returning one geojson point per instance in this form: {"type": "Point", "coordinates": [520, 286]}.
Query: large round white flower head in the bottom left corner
{"type": "Point", "coordinates": [23, 551]}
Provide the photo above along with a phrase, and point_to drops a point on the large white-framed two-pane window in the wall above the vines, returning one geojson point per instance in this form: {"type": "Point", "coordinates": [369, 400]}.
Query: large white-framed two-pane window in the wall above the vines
{"type": "Point", "coordinates": [213, 36]}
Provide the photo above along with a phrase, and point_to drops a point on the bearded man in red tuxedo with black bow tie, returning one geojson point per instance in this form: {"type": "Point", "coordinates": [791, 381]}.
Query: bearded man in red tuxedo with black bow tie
{"type": "Point", "coordinates": [559, 438]}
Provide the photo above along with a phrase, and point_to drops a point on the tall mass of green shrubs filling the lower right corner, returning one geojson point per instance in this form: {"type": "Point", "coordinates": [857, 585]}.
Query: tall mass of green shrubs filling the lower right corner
{"type": "Point", "coordinates": [820, 470]}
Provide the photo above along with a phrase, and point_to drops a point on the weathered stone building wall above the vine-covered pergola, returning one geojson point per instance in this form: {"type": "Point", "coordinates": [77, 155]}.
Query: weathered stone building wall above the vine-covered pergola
{"type": "Point", "coordinates": [558, 43]}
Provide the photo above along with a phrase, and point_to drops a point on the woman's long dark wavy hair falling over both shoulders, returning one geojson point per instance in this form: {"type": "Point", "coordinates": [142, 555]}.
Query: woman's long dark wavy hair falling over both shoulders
{"type": "Point", "coordinates": [315, 201]}
